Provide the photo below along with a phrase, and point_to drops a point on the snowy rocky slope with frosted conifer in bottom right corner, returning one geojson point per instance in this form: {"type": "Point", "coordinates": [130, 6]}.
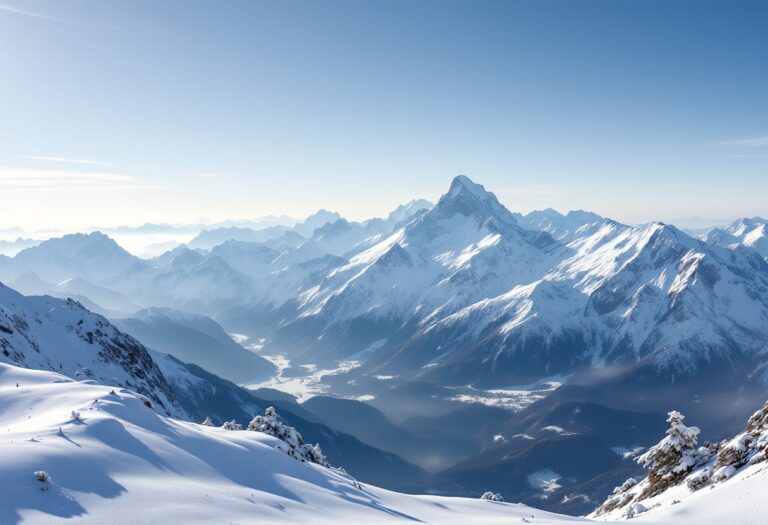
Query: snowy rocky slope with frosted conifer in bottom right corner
{"type": "Point", "coordinates": [723, 481]}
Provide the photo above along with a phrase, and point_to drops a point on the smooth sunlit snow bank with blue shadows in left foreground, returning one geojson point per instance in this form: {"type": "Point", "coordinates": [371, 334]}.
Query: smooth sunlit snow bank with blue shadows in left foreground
{"type": "Point", "coordinates": [120, 462]}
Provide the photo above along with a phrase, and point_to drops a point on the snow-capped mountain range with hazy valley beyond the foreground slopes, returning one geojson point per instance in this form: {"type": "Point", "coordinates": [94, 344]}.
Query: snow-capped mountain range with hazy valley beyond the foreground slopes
{"type": "Point", "coordinates": [467, 343]}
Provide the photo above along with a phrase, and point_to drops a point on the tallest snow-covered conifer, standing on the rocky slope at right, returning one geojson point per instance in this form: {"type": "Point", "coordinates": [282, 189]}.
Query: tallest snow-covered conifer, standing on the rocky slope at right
{"type": "Point", "coordinates": [670, 460]}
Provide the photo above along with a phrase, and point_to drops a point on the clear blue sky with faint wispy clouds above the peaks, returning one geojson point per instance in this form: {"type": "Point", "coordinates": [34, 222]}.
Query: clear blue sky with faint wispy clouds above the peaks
{"type": "Point", "coordinates": [127, 112]}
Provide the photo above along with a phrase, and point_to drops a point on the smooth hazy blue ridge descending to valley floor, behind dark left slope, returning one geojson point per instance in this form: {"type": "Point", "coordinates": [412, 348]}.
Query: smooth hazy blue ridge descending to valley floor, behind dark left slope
{"type": "Point", "coordinates": [196, 339]}
